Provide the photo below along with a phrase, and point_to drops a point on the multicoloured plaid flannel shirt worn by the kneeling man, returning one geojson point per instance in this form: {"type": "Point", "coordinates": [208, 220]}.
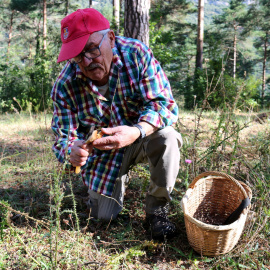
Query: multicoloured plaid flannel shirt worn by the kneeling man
{"type": "Point", "coordinates": [139, 91]}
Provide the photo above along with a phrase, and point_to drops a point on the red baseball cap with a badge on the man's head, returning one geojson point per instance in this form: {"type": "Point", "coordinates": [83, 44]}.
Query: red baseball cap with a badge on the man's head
{"type": "Point", "coordinates": [76, 28]}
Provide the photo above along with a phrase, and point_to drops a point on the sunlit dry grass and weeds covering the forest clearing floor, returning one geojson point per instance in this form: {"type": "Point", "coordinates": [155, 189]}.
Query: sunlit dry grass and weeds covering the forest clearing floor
{"type": "Point", "coordinates": [45, 223]}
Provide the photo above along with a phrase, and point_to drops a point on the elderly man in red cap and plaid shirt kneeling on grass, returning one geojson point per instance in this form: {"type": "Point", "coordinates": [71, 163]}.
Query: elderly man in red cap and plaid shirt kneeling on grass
{"type": "Point", "coordinates": [115, 84]}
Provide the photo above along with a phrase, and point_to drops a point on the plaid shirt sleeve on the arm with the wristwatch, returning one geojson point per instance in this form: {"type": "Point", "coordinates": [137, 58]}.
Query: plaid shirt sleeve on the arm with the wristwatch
{"type": "Point", "coordinates": [159, 108]}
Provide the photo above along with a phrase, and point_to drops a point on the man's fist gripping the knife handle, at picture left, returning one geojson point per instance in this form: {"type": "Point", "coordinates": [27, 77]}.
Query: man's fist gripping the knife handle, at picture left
{"type": "Point", "coordinates": [79, 153]}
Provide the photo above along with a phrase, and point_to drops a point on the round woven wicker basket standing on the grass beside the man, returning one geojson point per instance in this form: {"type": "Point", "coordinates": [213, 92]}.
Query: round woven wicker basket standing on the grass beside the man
{"type": "Point", "coordinates": [209, 200]}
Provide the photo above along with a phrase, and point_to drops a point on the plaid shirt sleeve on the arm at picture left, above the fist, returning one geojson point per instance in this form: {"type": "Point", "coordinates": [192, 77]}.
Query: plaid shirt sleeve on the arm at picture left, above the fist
{"type": "Point", "coordinates": [64, 122]}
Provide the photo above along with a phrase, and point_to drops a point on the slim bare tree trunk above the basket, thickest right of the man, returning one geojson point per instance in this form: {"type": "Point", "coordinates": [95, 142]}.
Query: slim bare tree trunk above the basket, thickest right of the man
{"type": "Point", "coordinates": [199, 56]}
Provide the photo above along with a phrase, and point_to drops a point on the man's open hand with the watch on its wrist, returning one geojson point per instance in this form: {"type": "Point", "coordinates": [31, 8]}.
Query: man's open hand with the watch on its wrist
{"type": "Point", "coordinates": [119, 137]}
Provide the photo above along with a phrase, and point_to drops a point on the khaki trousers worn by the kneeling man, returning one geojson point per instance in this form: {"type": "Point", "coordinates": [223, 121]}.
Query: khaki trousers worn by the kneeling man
{"type": "Point", "coordinates": [162, 152]}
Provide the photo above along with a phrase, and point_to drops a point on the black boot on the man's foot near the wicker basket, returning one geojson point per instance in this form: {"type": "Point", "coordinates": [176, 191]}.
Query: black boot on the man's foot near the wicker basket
{"type": "Point", "coordinates": [160, 225]}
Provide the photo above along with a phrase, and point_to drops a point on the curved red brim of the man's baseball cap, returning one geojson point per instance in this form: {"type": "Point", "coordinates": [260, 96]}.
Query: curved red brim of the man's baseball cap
{"type": "Point", "coordinates": [72, 48]}
